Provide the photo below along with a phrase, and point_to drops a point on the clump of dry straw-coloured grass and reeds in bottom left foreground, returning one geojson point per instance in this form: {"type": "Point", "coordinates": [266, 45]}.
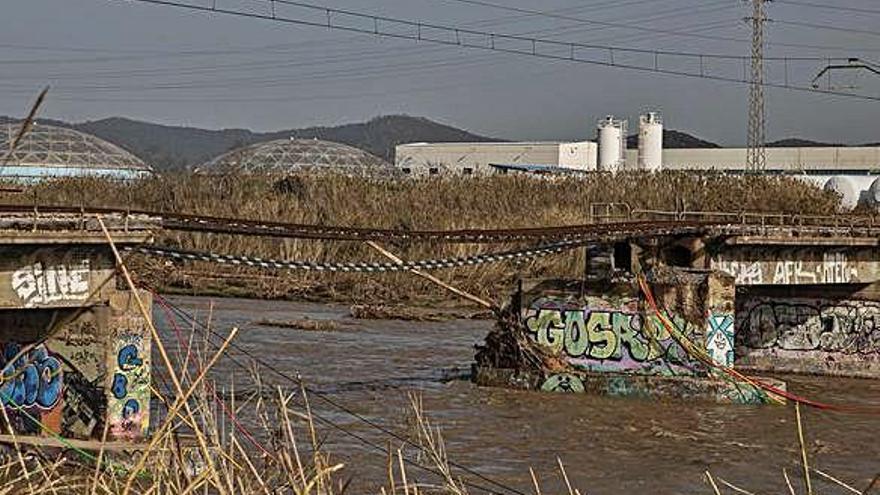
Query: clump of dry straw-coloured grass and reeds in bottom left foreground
{"type": "Point", "coordinates": [226, 463]}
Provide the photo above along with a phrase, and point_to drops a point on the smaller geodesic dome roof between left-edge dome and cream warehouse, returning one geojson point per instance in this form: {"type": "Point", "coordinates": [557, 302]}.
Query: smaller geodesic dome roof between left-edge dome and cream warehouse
{"type": "Point", "coordinates": [291, 155]}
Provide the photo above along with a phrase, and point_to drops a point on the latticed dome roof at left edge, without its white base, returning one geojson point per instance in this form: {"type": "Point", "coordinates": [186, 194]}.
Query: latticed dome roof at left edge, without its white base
{"type": "Point", "coordinates": [46, 146]}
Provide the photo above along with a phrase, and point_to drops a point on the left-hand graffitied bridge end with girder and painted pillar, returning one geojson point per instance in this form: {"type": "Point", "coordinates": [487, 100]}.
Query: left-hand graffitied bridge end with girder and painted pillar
{"type": "Point", "coordinates": [74, 346]}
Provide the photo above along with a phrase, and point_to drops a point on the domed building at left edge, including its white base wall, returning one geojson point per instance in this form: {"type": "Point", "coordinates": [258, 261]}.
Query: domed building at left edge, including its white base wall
{"type": "Point", "coordinates": [49, 152]}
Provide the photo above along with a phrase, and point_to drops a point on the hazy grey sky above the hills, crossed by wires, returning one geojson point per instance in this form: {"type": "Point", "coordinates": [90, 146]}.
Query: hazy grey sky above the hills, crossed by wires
{"type": "Point", "coordinates": [113, 57]}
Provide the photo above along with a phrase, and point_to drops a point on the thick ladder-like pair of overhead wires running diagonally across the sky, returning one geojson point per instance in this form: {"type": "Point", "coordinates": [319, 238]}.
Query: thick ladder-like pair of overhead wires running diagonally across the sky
{"type": "Point", "coordinates": [330, 18]}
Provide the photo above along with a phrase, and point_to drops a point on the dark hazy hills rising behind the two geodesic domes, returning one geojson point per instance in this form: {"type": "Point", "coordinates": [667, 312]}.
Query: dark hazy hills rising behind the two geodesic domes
{"type": "Point", "coordinates": [173, 147]}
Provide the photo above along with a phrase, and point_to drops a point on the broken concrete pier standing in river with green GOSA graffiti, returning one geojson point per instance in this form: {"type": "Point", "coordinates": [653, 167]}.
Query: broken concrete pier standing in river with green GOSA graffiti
{"type": "Point", "coordinates": [603, 337]}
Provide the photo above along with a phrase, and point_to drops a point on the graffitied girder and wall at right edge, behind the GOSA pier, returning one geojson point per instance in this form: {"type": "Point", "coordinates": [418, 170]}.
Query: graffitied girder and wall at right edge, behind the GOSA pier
{"type": "Point", "coordinates": [804, 304]}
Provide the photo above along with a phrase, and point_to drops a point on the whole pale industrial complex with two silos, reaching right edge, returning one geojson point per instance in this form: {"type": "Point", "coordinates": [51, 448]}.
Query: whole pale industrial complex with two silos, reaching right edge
{"type": "Point", "coordinates": [850, 171]}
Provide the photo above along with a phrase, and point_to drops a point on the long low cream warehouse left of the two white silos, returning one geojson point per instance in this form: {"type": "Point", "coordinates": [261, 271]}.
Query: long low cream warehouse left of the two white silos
{"type": "Point", "coordinates": [484, 158]}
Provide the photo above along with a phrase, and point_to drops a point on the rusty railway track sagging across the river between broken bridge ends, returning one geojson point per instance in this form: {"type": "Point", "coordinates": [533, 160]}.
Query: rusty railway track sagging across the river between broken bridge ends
{"type": "Point", "coordinates": [655, 224]}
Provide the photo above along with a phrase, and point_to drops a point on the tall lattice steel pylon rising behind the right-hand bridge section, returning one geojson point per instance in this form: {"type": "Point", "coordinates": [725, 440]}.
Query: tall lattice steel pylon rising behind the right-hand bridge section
{"type": "Point", "coordinates": [756, 159]}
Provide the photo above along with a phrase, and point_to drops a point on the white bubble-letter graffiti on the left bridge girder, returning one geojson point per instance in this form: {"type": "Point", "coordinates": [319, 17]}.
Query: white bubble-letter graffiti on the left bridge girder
{"type": "Point", "coordinates": [41, 282]}
